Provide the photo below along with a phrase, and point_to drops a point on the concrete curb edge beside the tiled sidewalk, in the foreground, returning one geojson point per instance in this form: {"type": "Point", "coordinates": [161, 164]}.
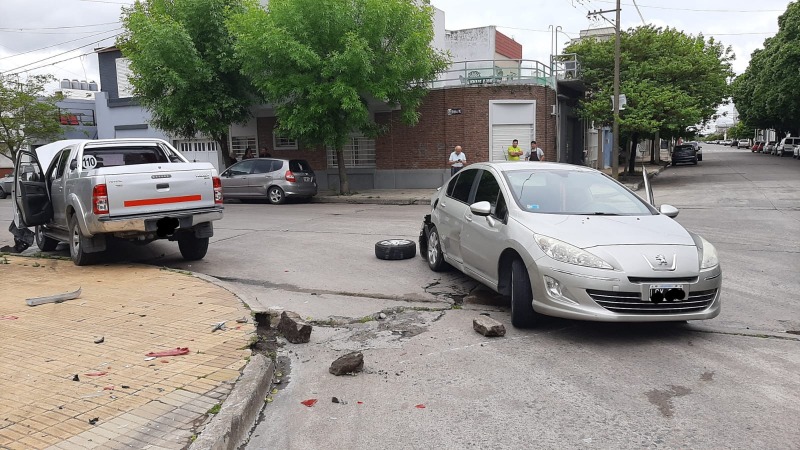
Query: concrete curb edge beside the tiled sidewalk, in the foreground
{"type": "Point", "coordinates": [230, 428]}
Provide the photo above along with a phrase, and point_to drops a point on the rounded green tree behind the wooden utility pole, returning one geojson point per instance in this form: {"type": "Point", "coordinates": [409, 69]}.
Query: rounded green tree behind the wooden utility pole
{"type": "Point", "coordinates": [671, 80]}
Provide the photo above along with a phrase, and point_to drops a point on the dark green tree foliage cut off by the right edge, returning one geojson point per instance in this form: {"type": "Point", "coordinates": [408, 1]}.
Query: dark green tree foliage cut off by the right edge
{"type": "Point", "coordinates": [766, 93]}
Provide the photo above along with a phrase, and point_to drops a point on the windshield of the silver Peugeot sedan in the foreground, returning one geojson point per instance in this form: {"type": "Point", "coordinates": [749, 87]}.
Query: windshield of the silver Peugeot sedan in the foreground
{"type": "Point", "coordinates": [573, 192]}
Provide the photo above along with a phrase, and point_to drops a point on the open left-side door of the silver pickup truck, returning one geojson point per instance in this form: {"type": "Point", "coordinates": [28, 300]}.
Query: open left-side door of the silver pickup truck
{"type": "Point", "coordinates": [31, 192]}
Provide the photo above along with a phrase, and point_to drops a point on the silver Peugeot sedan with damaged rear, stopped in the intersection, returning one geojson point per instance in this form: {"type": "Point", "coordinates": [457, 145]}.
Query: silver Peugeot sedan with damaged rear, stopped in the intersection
{"type": "Point", "coordinates": [571, 242]}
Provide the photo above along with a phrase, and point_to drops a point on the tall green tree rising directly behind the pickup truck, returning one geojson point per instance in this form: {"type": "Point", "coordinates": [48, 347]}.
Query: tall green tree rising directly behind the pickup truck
{"type": "Point", "coordinates": [184, 67]}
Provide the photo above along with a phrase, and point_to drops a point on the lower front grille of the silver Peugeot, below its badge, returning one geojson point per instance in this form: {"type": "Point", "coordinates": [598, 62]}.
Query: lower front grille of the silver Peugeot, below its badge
{"type": "Point", "coordinates": [632, 303]}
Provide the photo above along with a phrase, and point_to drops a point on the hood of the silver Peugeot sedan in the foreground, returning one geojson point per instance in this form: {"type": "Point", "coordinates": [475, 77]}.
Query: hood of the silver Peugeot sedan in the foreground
{"type": "Point", "coordinates": [596, 231]}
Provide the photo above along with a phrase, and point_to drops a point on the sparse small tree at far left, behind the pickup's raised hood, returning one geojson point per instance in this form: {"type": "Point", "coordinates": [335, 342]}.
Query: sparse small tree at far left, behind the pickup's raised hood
{"type": "Point", "coordinates": [26, 113]}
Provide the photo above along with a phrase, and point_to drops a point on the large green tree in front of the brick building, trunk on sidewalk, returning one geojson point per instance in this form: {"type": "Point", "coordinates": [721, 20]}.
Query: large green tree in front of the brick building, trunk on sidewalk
{"type": "Point", "coordinates": [321, 62]}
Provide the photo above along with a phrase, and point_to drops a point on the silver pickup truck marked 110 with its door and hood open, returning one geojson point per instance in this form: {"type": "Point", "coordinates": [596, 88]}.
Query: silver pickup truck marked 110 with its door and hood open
{"type": "Point", "coordinates": [135, 189]}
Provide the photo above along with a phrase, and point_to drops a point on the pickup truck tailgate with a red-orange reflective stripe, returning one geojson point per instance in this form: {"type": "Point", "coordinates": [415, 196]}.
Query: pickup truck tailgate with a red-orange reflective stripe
{"type": "Point", "coordinates": [154, 188]}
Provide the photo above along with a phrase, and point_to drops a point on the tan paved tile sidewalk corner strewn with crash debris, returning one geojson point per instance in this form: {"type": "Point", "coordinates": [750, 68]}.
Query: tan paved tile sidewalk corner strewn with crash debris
{"type": "Point", "coordinates": [139, 403]}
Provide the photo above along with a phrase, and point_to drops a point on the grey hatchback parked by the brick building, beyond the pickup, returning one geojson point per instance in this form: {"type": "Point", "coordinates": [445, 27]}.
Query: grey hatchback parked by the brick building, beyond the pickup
{"type": "Point", "coordinates": [269, 178]}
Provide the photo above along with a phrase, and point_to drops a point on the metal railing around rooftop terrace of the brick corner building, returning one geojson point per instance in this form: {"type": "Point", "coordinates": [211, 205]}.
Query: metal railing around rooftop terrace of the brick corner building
{"type": "Point", "coordinates": [494, 72]}
